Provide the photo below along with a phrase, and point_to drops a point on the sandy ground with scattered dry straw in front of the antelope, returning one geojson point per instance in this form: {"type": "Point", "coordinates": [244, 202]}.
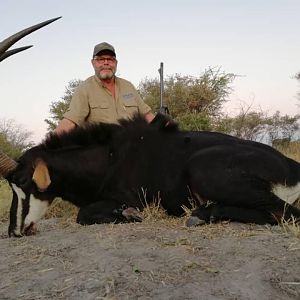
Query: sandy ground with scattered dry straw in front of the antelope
{"type": "Point", "coordinates": [158, 260]}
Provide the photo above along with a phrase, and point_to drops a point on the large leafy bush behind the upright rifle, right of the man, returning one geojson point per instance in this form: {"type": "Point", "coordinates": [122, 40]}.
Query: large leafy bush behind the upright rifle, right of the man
{"type": "Point", "coordinates": [203, 95]}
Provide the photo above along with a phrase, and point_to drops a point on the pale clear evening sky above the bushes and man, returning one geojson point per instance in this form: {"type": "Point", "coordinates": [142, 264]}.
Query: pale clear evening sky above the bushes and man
{"type": "Point", "coordinates": [257, 40]}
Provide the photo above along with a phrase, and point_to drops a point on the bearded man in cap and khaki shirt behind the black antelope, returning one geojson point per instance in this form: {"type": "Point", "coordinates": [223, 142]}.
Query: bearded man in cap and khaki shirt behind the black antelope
{"type": "Point", "coordinates": [103, 97]}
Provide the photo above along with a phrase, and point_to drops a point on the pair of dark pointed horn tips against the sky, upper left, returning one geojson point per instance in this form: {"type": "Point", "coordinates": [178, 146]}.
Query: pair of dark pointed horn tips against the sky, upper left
{"type": "Point", "coordinates": [7, 43]}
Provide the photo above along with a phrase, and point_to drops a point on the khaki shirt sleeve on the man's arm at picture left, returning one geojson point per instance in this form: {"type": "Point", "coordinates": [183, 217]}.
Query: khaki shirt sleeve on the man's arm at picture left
{"type": "Point", "coordinates": [79, 107]}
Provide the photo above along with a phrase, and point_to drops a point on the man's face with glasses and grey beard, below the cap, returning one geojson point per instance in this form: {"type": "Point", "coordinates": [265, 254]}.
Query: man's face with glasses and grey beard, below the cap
{"type": "Point", "coordinates": [105, 66]}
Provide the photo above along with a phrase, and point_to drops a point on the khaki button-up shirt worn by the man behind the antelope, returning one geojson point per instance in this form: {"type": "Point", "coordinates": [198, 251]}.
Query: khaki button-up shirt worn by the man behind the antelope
{"type": "Point", "coordinates": [92, 102]}
